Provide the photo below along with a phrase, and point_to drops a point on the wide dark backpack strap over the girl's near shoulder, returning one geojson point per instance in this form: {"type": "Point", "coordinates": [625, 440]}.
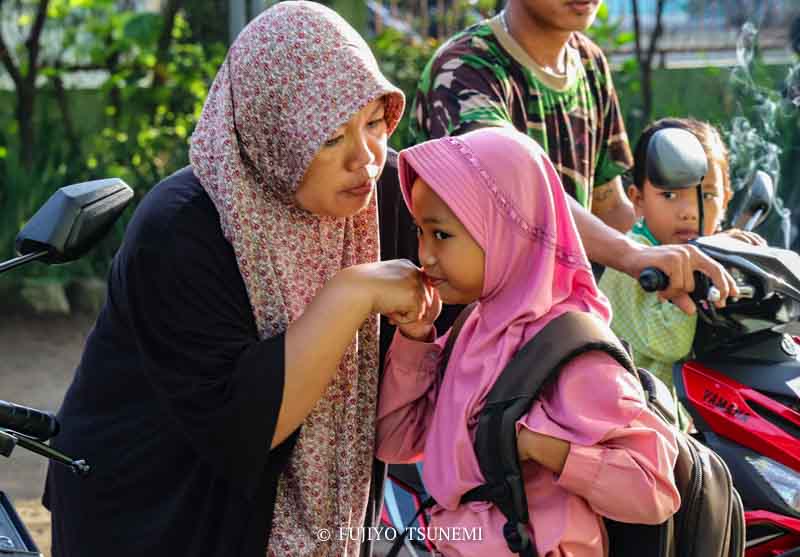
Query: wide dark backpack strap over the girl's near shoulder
{"type": "Point", "coordinates": [538, 362]}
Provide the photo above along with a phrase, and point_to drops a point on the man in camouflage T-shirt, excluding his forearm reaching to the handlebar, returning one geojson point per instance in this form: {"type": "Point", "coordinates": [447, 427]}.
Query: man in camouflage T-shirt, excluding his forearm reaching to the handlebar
{"type": "Point", "coordinates": [530, 67]}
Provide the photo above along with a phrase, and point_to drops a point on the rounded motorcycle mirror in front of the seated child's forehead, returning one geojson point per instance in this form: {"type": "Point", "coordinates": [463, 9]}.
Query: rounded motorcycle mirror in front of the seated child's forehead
{"type": "Point", "coordinates": [675, 159]}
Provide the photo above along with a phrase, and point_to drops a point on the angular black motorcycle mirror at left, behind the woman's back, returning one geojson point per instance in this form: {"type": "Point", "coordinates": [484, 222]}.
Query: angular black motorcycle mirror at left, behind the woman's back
{"type": "Point", "coordinates": [74, 219]}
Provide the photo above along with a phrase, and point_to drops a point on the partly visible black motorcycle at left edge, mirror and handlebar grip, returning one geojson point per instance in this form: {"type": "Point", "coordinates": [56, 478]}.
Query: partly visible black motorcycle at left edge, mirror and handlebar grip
{"type": "Point", "coordinates": [70, 222]}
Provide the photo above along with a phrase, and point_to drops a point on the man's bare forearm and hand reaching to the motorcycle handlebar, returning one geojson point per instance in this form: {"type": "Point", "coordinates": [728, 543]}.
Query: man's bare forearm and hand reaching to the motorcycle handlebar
{"type": "Point", "coordinates": [611, 248]}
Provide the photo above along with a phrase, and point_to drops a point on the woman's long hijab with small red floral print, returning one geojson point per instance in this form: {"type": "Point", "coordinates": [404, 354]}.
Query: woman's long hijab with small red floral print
{"type": "Point", "coordinates": [292, 76]}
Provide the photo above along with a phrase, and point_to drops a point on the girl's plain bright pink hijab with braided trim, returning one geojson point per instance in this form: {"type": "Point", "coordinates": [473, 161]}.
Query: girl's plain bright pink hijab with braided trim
{"type": "Point", "coordinates": [502, 186]}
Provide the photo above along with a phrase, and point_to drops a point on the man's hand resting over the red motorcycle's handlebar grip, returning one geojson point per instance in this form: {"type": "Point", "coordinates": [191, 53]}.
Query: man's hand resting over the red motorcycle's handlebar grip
{"type": "Point", "coordinates": [679, 261]}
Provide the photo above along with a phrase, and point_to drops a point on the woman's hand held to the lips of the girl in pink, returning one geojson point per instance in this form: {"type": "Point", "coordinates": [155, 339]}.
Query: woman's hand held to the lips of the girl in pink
{"type": "Point", "coordinates": [395, 288]}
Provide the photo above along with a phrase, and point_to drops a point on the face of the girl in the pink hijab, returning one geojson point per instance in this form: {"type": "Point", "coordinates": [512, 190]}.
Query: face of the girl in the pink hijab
{"type": "Point", "coordinates": [450, 257]}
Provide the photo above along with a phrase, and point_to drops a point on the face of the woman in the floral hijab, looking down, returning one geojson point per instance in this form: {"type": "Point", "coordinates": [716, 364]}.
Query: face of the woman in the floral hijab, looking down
{"type": "Point", "coordinates": [341, 179]}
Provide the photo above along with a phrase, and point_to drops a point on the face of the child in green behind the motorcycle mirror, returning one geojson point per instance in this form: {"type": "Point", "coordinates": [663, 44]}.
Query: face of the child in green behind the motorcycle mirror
{"type": "Point", "coordinates": [672, 216]}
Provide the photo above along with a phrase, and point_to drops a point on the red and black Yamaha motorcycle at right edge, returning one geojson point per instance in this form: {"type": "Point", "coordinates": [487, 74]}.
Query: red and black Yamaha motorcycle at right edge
{"type": "Point", "coordinates": [742, 385]}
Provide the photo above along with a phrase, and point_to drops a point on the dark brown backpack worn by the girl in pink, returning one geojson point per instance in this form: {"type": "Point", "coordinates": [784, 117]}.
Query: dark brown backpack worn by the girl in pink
{"type": "Point", "coordinates": [710, 521]}
